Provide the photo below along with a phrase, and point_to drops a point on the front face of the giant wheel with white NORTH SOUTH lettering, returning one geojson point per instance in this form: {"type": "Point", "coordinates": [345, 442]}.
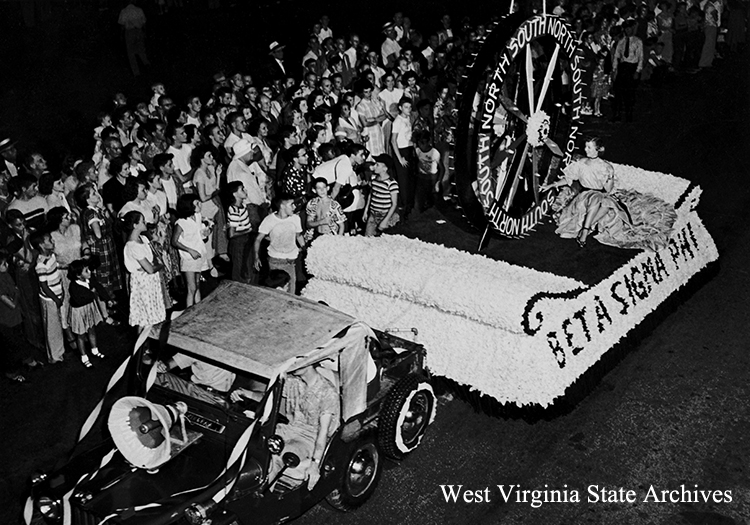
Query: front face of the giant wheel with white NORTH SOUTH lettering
{"type": "Point", "coordinates": [518, 150]}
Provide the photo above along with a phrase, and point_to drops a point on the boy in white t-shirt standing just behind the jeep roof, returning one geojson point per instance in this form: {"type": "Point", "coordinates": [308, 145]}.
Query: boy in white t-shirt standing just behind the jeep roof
{"type": "Point", "coordinates": [284, 231]}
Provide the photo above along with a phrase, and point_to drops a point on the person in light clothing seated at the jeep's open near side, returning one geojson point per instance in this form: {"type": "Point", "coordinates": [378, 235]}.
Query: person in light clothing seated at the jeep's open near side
{"type": "Point", "coordinates": [311, 403]}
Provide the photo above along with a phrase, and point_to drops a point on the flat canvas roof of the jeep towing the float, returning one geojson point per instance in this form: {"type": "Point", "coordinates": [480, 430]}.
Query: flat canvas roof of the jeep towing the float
{"type": "Point", "coordinates": [254, 329]}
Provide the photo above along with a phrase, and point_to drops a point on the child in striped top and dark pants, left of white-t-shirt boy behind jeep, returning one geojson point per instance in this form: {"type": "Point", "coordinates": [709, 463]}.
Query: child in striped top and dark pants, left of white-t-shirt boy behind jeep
{"type": "Point", "coordinates": [240, 234]}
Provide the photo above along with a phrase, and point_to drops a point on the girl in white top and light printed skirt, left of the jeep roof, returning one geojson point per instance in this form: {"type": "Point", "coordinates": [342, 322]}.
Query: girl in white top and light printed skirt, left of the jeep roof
{"type": "Point", "coordinates": [147, 305]}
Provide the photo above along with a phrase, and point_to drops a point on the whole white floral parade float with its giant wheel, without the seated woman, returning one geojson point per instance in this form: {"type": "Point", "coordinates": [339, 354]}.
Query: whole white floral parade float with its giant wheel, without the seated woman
{"type": "Point", "coordinates": [512, 334]}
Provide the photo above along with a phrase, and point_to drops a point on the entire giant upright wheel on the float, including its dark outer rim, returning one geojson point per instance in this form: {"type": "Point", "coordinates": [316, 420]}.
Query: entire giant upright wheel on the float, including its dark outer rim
{"type": "Point", "coordinates": [518, 119]}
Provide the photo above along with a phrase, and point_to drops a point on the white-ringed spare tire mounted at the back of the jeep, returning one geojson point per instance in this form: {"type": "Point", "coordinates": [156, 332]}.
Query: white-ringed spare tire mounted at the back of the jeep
{"type": "Point", "coordinates": [405, 415]}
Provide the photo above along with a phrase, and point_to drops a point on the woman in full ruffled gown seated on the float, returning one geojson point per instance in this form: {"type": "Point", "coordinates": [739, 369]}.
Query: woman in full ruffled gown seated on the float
{"type": "Point", "coordinates": [621, 218]}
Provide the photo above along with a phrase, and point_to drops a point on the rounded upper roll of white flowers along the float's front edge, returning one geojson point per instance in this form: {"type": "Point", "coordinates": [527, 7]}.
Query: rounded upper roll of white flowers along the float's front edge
{"type": "Point", "coordinates": [386, 266]}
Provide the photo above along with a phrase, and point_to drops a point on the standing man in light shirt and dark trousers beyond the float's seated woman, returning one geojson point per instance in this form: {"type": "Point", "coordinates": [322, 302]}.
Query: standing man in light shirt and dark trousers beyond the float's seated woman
{"type": "Point", "coordinates": [627, 64]}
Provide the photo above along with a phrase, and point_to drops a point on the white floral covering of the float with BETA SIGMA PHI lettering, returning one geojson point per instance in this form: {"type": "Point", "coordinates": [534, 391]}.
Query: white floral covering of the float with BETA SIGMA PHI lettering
{"type": "Point", "coordinates": [515, 334]}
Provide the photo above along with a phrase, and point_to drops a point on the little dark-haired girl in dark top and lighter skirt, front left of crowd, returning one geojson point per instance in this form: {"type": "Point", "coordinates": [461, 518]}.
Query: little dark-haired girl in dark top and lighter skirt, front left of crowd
{"type": "Point", "coordinates": [86, 307]}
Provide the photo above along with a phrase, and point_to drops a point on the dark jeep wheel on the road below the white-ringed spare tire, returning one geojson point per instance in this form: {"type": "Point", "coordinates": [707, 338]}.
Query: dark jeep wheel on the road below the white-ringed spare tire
{"type": "Point", "coordinates": [361, 474]}
